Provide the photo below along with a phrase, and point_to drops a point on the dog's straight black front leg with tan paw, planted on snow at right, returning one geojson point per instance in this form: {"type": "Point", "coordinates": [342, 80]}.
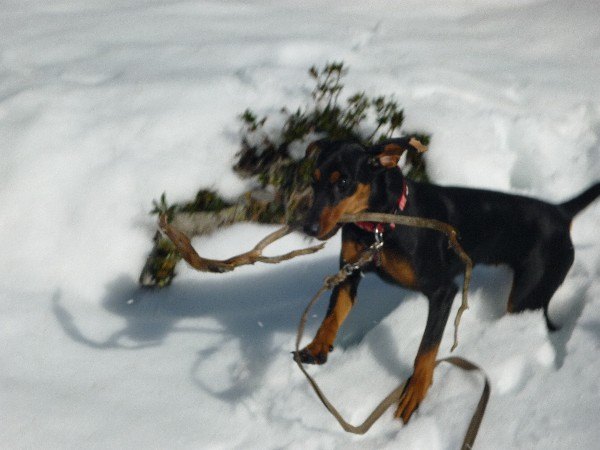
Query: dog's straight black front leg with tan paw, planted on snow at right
{"type": "Point", "coordinates": [418, 384]}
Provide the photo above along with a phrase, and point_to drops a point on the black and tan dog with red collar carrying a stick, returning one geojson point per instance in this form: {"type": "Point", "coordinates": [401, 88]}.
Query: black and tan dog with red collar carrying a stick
{"type": "Point", "coordinates": [530, 236]}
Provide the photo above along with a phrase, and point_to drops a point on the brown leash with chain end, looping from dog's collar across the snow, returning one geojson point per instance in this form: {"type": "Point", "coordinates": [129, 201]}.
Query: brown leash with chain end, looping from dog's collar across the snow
{"type": "Point", "coordinates": [393, 397]}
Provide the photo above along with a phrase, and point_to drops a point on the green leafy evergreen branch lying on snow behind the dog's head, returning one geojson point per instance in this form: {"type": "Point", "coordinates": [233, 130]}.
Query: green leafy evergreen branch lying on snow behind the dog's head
{"type": "Point", "coordinates": [272, 159]}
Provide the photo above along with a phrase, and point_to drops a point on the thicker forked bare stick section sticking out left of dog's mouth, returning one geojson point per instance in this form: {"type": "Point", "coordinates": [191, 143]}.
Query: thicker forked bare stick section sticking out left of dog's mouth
{"type": "Point", "coordinates": [184, 246]}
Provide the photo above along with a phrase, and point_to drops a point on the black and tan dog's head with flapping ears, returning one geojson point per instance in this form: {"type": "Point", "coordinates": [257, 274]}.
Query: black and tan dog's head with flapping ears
{"type": "Point", "coordinates": [343, 179]}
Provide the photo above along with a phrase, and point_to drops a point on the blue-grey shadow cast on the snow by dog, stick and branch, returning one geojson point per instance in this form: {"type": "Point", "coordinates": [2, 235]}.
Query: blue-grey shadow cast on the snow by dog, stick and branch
{"type": "Point", "coordinates": [250, 309]}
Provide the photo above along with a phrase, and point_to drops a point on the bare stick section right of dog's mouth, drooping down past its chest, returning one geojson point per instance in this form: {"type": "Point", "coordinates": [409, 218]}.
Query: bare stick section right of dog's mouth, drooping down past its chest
{"type": "Point", "coordinates": [431, 224]}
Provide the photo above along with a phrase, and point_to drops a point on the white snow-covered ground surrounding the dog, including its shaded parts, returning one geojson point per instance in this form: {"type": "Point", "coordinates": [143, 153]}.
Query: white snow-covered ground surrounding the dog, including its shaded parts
{"type": "Point", "coordinates": [104, 105]}
